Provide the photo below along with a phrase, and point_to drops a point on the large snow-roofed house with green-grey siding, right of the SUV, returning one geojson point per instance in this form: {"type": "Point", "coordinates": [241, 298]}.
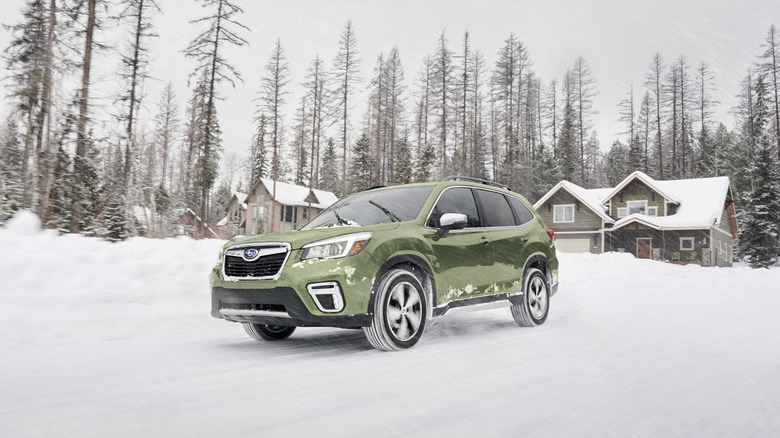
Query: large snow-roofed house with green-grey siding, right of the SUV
{"type": "Point", "coordinates": [685, 221]}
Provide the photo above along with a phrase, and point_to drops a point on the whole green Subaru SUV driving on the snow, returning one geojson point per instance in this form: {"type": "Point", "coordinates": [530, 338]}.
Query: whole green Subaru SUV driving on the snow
{"type": "Point", "coordinates": [389, 259]}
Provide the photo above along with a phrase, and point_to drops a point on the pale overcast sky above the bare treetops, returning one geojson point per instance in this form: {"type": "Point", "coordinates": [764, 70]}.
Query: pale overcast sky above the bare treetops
{"type": "Point", "coordinates": [617, 38]}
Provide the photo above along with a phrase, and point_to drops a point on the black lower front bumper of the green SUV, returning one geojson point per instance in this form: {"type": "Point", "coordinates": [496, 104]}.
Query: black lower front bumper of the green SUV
{"type": "Point", "coordinates": [276, 306]}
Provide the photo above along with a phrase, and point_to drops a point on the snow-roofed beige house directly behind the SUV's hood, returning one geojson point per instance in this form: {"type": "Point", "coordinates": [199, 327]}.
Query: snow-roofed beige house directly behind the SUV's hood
{"type": "Point", "coordinates": [274, 206]}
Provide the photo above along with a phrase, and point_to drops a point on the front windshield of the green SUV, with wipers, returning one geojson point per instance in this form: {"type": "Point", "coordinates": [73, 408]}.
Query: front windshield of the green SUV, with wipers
{"type": "Point", "coordinates": [373, 207]}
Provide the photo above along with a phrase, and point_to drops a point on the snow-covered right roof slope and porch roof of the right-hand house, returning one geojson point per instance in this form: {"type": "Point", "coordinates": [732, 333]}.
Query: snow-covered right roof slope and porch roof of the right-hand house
{"type": "Point", "coordinates": [701, 202]}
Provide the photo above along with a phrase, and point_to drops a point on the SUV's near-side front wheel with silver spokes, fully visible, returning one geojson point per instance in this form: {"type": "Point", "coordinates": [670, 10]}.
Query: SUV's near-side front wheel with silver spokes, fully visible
{"type": "Point", "coordinates": [400, 312]}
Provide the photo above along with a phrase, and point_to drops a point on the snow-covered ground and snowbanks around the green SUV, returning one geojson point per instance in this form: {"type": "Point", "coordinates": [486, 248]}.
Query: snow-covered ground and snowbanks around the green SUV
{"type": "Point", "coordinates": [102, 340]}
